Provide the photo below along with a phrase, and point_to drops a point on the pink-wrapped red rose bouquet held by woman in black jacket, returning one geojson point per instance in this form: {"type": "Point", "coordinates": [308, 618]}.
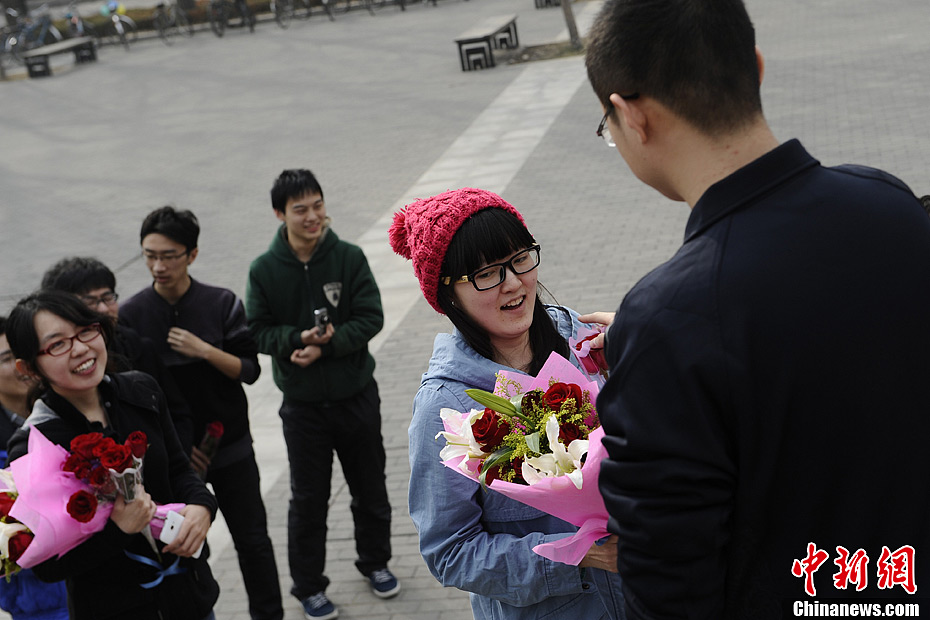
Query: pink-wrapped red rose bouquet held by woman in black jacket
{"type": "Point", "coordinates": [61, 499]}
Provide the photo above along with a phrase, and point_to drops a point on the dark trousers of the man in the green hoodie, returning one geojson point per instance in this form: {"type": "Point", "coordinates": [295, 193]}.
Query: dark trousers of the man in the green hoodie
{"type": "Point", "coordinates": [352, 428]}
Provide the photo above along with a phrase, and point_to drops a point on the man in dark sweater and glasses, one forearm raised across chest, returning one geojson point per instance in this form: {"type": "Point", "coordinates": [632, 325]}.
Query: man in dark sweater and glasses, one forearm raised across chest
{"type": "Point", "coordinates": [201, 334]}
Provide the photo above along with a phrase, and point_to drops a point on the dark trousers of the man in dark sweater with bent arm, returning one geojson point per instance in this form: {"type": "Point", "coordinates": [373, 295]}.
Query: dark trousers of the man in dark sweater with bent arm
{"type": "Point", "coordinates": [238, 493]}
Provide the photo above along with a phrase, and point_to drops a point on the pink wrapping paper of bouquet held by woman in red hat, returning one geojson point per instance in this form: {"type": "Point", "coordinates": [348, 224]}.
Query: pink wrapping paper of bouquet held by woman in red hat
{"type": "Point", "coordinates": [558, 497]}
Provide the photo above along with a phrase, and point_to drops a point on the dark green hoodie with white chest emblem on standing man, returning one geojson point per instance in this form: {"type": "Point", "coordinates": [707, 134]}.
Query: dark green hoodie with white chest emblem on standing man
{"type": "Point", "coordinates": [280, 298]}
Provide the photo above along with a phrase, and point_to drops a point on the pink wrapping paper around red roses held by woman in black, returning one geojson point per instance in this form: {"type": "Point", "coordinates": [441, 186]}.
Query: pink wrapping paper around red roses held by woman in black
{"type": "Point", "coordinates": [44, 490]}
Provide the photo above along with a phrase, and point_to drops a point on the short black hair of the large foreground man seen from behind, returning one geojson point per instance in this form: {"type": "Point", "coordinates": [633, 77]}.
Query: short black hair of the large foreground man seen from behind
{"type": "Point", "coordinates": [696, 57]}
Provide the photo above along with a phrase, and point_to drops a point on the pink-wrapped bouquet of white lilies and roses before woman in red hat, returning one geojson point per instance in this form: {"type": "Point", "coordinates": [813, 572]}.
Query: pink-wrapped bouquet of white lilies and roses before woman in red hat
{"type": "Point", "coordinates": [538, 441]}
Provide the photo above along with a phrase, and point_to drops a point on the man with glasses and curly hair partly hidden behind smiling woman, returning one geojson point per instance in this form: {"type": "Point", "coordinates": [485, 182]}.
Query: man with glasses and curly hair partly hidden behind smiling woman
{"type": "Point", "coordinates": [95, 284]}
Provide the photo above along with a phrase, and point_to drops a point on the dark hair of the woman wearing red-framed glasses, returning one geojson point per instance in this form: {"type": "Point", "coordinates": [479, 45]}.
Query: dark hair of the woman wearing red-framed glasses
{"type": "Point", "coordinates": [21, 329]}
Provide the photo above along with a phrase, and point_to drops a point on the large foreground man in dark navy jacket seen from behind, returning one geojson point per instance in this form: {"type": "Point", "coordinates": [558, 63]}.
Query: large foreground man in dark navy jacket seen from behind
{"type": "Point", "coordinates": [768, 393]}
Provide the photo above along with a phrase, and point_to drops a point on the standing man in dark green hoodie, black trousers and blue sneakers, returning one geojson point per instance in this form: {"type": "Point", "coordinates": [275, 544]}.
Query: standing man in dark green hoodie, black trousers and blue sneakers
{"type": "Point", "coordinates": [313, 305]}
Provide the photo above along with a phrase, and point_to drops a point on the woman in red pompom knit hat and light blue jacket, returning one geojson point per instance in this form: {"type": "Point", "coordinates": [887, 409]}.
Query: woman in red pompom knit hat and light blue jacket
{"type": "Point", "coordinates": [477, 263]}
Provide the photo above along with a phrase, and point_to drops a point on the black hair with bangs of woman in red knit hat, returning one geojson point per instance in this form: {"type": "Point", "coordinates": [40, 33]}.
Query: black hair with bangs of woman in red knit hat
{"type": "Point", "coordinates": [489, 236]}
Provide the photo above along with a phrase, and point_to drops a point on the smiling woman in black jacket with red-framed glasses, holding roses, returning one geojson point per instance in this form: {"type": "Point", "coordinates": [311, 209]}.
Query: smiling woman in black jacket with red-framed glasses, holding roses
{"type": "Point", "coordinates": [57, 341]}
